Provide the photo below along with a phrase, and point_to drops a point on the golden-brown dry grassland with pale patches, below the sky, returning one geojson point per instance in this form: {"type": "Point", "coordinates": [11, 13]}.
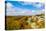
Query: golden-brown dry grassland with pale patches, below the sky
{"type": "Point", "coordinates": [25, 22]}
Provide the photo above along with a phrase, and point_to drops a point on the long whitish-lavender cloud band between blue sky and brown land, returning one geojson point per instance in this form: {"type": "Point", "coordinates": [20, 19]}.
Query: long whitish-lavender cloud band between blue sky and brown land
{"type": "Point", "coordinates": [12, 11]}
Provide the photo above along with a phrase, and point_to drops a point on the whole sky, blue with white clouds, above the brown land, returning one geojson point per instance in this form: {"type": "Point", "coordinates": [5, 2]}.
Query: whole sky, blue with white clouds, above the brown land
{"type": "Point", "coordinates": [20, 7]}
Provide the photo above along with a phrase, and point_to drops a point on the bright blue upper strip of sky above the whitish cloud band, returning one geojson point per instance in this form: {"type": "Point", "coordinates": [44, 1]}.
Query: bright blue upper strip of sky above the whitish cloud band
{"type": "Point", "coordinates": [24, 5]}
